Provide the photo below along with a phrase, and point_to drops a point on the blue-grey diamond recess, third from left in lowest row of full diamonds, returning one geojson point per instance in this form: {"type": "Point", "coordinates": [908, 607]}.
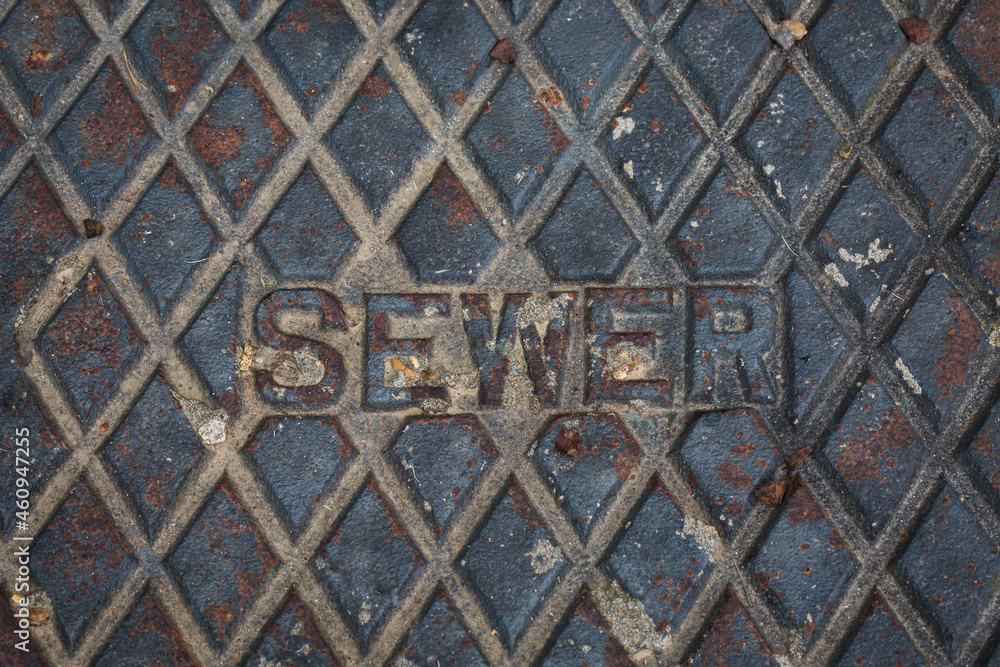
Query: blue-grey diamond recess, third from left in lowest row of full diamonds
{"type": "Point", "coordinates": [367, 561]}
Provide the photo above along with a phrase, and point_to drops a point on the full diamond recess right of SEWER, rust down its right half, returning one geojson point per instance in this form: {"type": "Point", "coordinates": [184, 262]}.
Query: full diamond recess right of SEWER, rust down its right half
{"type": "Point", "coordinates": [938, 341]}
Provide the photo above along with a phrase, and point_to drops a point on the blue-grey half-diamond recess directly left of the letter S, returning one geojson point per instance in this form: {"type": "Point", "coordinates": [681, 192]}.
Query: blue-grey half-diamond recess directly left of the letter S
{"type": "Point", "coordinates": [212, 340]}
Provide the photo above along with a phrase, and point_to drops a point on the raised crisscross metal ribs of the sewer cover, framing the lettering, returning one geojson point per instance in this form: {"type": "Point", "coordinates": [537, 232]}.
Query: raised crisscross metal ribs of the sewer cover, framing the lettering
{"type": "Point", "coordinates": [375, 266]}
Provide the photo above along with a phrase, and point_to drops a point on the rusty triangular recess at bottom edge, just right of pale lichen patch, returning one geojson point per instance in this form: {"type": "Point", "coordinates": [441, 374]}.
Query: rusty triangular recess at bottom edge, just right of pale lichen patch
{"type": "Point", "coordinates": [733, 639]}
